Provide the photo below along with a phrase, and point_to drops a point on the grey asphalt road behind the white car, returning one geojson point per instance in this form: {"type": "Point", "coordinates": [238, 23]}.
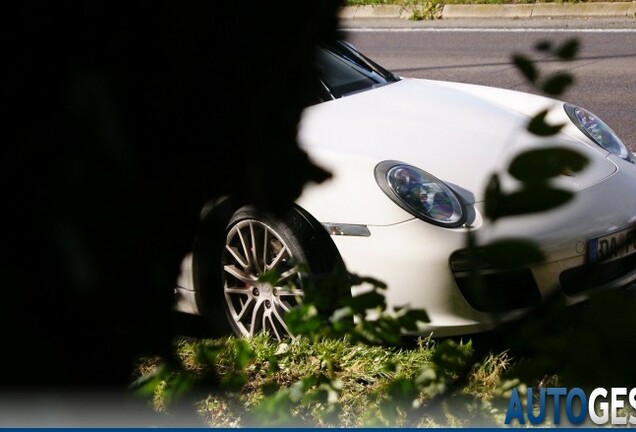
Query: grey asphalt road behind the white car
{"type": "Point", "coordinates": [479, 52]}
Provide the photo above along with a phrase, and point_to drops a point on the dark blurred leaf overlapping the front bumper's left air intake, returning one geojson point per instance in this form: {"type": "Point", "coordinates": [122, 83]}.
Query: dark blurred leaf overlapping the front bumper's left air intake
{"type": "Point", "coordinates": [511, 253]}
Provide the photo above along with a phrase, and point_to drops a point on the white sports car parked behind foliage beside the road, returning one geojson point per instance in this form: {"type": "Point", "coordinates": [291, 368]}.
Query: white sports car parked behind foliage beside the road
{"type": "Point", "coordinates": [411, 160]}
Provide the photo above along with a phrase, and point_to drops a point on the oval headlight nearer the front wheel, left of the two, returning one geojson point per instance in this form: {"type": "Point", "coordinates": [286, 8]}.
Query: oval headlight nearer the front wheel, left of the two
{"type": "Point", "coordinates": [419, 193]}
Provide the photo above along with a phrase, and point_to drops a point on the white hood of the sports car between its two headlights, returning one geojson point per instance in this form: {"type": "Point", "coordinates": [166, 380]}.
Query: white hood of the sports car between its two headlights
{"type": "Point", "coordinates": [459, 133]}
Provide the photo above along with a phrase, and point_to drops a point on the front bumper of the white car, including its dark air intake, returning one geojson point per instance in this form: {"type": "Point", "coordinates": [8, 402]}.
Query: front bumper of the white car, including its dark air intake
{"type": "Point", "coordinates": [412, 258]}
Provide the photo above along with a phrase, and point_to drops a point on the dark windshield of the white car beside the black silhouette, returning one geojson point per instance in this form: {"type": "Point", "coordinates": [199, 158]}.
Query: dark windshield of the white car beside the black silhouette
{"type": "Point", "coordinates": [344, 71]}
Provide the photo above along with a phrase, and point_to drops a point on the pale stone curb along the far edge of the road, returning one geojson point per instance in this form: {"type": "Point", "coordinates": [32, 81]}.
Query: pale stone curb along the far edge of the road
{"type": "Point", "coordinates": [531, 10]}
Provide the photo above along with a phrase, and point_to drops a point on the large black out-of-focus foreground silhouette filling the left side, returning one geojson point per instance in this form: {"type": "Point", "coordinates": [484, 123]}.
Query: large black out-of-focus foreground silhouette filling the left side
{"type": "Point", "coordinates": [123, 119]}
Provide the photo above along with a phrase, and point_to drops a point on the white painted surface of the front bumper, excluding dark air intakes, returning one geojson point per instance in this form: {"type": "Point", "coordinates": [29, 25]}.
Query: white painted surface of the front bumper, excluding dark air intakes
{"type": "Point", "coordinates": [412, 257]}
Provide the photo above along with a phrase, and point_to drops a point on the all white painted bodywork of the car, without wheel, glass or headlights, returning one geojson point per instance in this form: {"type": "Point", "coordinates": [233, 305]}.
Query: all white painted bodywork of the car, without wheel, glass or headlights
{"type": "Point", "coordinates": [461, 134]}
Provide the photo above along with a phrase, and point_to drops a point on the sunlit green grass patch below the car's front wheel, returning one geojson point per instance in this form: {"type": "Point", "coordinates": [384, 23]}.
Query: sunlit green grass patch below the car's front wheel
{"type": "Point", "coordinates": [350, 384]}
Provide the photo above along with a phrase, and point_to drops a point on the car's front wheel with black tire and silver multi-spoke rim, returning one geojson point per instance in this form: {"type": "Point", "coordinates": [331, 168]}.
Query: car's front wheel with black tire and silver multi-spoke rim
{"type": "Point", "coordinates": [293, 250]}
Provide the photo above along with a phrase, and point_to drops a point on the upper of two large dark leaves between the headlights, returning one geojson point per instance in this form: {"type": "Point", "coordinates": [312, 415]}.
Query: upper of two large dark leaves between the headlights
{"type": "Point", "coordinates": [542, 164]}
